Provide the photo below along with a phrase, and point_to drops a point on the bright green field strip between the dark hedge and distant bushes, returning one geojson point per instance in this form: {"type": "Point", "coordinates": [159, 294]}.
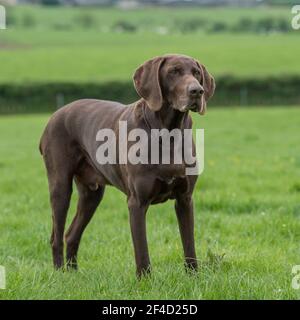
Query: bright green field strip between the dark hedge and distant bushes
{"type": "Point", "coordinates": [115, 58]}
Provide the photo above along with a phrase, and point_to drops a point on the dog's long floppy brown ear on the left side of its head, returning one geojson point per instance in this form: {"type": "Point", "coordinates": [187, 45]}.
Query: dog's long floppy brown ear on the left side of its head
{"type": "Point", "coordinates": [146, 82]}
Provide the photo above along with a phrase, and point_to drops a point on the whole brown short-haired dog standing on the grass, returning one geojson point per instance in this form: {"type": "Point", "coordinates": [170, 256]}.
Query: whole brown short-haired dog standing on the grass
{"type": "Point", "coordinates": [169, 86]}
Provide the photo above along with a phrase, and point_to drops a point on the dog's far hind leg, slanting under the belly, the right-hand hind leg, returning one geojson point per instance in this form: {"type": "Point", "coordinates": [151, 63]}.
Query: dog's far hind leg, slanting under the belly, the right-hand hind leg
{"type": "Point", "coordinates": [87, 205]}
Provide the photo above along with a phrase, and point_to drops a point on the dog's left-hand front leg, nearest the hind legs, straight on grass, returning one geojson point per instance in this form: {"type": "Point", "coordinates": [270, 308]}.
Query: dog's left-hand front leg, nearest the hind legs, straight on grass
{"type": "Point", "coordinates": [137, 214]}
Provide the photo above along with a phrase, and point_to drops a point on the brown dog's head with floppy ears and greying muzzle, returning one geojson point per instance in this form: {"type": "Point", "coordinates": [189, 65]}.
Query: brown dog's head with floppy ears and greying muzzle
{"type": "Point", "coordinates": [177, 80]}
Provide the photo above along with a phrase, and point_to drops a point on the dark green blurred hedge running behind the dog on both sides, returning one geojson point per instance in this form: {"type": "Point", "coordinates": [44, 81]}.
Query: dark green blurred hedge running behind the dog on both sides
{"type": "Point", "coordinates": [47, 97]}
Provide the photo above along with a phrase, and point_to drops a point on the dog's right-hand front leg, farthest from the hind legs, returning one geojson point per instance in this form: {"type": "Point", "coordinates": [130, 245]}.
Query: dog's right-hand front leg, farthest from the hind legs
{"type": "Point", "coordinates": [185, 216]}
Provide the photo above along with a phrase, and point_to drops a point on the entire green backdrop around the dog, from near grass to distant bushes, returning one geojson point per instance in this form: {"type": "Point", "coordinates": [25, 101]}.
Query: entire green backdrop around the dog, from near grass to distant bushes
{"type": "Point", "coordinates": [247, 209]}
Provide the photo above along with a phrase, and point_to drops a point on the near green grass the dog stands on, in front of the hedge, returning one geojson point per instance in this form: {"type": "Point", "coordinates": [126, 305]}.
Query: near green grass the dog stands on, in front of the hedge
{"type": "Point", "coordinates": [247, 209]}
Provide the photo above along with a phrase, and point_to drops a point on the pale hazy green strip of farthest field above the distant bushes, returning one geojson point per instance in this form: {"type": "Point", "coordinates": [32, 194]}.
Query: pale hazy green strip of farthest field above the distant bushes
{"type": "Point", "coordinates": [147, 18]}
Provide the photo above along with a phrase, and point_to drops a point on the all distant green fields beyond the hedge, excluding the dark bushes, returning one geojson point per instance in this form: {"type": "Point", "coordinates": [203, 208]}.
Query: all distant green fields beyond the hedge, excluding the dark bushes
{"type": "Point", "coordinates": [43, 53]}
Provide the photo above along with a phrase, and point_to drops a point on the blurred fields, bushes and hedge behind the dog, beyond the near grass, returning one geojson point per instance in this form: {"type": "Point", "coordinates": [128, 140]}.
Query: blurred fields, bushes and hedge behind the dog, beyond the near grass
{"type": "Point", "coordinates": [55, 51]}
